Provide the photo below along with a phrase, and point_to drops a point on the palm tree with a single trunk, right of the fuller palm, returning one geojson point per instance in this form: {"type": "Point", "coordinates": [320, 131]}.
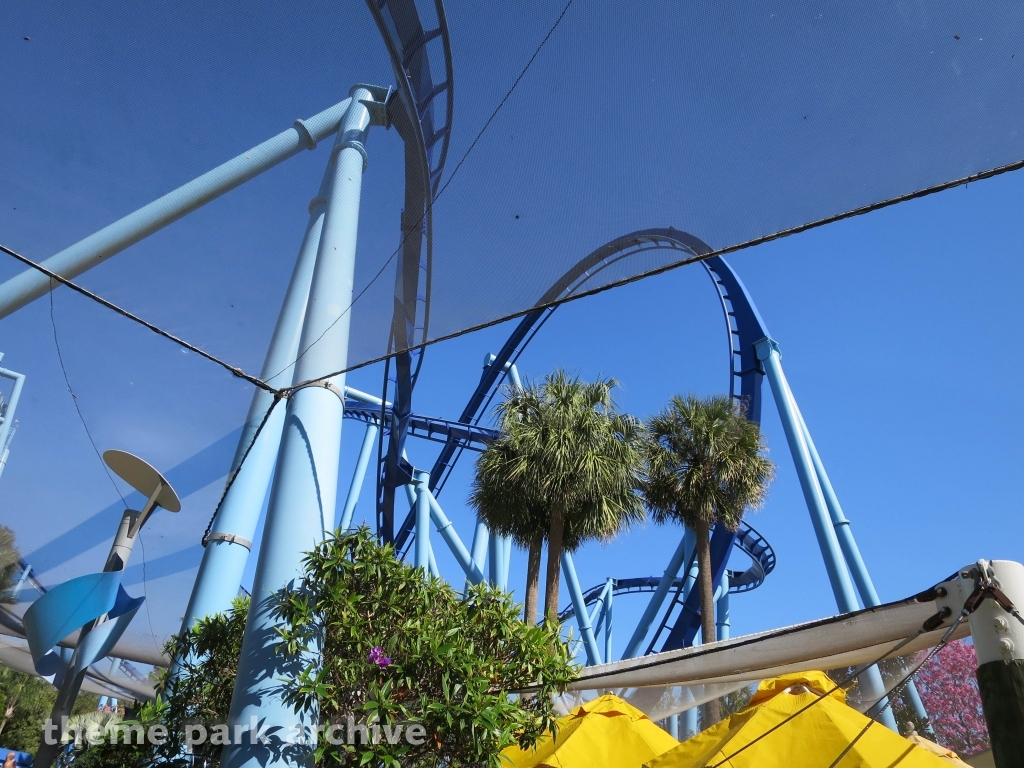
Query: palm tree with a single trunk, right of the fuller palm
{"type": "Point", "coordinates": [705, 466]}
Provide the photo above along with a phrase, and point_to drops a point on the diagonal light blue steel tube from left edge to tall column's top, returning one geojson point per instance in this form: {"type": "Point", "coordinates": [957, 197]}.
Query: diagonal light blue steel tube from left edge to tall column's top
{"type": "Point", "coordinates": [115, 238]}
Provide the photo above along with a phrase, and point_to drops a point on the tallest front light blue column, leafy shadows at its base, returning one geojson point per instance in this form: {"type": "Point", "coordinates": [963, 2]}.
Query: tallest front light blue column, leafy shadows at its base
{"type": "Point", "coordinates": [306, 485]}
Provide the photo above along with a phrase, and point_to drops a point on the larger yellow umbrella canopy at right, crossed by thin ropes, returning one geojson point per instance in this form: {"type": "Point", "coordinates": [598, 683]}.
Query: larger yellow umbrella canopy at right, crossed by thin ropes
{"type": "Point", "coordinates": [814, 739]}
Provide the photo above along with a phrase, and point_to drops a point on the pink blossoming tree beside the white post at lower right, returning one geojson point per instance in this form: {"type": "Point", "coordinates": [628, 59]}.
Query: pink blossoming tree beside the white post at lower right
{"type": "Point", "coordinates": [950, 691]}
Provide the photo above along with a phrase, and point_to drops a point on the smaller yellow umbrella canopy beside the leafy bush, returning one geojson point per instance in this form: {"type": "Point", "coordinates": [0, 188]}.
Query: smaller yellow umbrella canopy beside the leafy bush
{"type": "Point", "coordinates": [605, 734]}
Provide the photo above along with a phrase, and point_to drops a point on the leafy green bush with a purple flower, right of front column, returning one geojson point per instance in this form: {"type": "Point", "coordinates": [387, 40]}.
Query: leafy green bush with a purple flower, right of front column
{"type": "Point", "coordinates": [398, 648]}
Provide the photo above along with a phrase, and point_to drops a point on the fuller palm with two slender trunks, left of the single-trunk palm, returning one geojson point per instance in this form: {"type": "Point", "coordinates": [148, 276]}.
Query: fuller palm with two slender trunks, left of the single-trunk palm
{"type": "Point", "coordinates": [566, 470]}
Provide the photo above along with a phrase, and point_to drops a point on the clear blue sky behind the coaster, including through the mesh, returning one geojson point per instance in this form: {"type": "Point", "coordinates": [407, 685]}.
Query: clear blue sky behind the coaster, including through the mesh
{"type": "Point", "coordinates": [898, 328]}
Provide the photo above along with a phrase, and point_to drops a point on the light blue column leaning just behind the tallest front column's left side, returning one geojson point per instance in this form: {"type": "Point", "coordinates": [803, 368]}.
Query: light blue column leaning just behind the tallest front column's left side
{"type": "Point", "coordinates": [235, 527]}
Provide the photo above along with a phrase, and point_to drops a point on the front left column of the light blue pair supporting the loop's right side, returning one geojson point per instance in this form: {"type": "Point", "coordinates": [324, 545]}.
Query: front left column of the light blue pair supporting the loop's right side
{"type": "Point", "coordinates": [846, 599]}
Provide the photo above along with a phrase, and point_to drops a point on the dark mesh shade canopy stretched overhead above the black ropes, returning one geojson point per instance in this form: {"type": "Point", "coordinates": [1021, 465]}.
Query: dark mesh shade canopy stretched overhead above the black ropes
{"type": "Point", "coordinates": [733, 122]}
